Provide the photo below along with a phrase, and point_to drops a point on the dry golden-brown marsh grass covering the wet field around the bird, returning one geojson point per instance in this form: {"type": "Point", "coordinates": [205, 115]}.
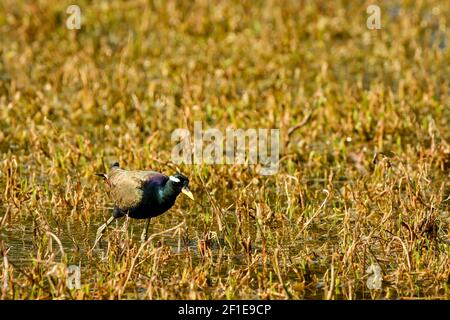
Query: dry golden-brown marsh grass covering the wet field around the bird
{"type": "Point", "coordinates": [377, 141]}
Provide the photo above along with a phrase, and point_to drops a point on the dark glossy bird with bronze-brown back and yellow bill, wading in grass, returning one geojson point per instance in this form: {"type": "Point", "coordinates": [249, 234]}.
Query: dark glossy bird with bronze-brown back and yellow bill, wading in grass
{"type": "Point", "coordinates": [141, 194]}
